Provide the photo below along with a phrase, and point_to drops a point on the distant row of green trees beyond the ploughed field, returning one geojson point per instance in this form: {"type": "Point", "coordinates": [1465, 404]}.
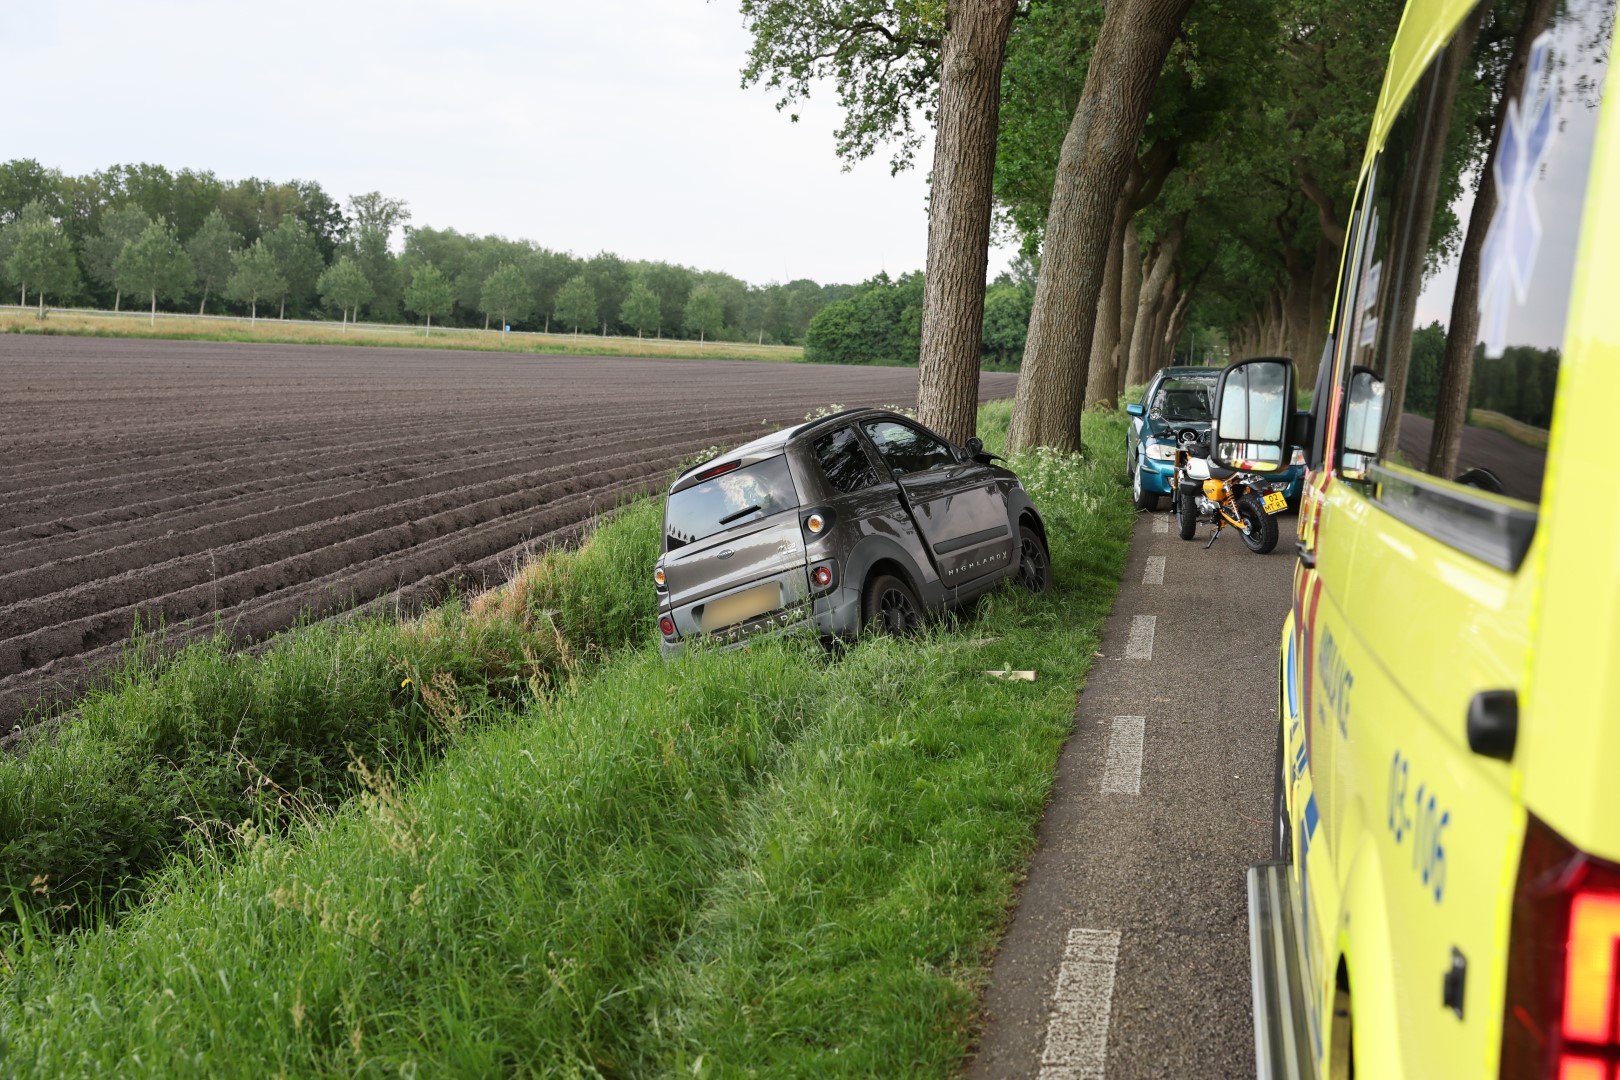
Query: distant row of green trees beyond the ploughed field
{"type": "Point", "coordinates": [187, 237]}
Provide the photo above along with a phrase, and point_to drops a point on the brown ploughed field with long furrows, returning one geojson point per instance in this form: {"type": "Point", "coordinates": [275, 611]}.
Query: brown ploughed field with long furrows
{"type": "Point", "coordinates": [198, 485]}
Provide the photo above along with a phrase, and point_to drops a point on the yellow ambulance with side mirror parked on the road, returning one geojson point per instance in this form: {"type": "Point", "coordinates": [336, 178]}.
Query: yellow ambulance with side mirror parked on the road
{"type": "Point", "coordinates": [1444, 899]}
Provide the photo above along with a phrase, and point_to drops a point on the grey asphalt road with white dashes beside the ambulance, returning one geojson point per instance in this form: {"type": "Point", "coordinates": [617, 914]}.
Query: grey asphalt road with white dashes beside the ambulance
{"type": "Point", "coordinates": [1128, 955]}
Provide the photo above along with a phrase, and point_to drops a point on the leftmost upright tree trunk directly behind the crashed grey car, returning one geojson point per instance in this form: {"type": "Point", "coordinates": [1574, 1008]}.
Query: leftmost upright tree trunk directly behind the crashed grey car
{"type": "Point", "coordinates": [965, 161]}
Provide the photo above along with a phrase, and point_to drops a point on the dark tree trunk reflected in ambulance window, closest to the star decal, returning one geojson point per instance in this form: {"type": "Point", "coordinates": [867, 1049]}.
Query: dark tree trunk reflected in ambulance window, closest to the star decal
{"type": "Point", "coordinates": [1457, 365]}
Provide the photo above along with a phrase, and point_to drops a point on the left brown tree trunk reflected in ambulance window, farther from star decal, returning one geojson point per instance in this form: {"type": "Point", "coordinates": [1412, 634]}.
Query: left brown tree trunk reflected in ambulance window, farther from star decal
{"type": "Point", "coordinates": [1410, 234]}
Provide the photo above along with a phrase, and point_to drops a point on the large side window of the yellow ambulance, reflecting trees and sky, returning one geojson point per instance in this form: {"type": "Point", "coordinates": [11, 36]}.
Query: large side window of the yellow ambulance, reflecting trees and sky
{"type": "Point", "coordinates": [1456, 323]}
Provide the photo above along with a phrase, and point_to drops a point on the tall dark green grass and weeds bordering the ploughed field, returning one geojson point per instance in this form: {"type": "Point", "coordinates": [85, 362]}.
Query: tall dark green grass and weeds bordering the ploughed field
{"type": "Point", "coordinates": [174, 757]}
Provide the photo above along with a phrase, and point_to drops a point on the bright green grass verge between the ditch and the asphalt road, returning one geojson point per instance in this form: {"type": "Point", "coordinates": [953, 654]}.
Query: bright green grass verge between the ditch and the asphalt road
{"type": "Point", "coordinates": [736, 864]}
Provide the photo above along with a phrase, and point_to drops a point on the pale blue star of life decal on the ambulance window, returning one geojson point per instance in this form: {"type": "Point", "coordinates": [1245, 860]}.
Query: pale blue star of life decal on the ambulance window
{"type": "Point", "coordinates": [1516, 229]}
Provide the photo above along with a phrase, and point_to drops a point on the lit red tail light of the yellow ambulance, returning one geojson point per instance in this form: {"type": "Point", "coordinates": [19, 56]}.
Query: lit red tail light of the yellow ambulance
{"type": "Point", "coordinates": [1562, 1011]}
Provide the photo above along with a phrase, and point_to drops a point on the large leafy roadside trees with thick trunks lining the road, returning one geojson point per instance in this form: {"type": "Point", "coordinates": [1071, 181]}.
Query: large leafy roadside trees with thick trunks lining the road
{"type": "Point", "coordinates": [1169, 164]}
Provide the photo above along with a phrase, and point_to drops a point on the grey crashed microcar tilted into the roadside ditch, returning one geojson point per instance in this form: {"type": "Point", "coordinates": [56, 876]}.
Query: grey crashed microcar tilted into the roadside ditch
{"type": "Point", "coordinates": [858, 521]}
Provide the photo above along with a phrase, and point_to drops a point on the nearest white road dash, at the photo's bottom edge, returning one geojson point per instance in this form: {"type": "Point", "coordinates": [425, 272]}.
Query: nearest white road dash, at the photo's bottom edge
{"type": "Point", "coordinates": [1081, 1005]}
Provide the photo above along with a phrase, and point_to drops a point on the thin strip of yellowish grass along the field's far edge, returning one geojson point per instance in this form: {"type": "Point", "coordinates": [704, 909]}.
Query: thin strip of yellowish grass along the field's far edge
{"type": "Point", "coordinates": [273, 331]}
